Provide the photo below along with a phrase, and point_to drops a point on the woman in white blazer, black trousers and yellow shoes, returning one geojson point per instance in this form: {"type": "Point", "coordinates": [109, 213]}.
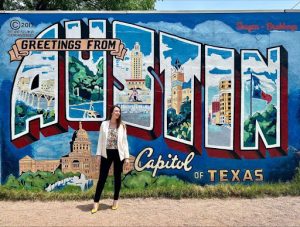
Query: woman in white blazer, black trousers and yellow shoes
{"type": "Point", "coordinates": [112, 147]}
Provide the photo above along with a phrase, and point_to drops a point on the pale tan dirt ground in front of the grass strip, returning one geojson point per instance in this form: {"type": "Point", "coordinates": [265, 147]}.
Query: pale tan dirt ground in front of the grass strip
{"type": "Point", "coordinates": [282, 211]}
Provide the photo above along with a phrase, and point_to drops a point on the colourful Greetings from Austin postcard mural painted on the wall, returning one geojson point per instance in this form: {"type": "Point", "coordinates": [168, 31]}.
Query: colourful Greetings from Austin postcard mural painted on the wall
{"type": "Point", "coordinates": [206, 97]}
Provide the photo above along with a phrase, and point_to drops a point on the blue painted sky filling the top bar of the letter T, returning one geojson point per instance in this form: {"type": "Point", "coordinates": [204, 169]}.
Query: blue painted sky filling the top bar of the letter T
{"type": "Point", "coordinates": [179, 49]}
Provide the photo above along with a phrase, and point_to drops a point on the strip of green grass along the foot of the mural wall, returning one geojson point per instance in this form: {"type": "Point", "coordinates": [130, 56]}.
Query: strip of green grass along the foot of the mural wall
{"type": "Point", "coordinates": [173, 191]}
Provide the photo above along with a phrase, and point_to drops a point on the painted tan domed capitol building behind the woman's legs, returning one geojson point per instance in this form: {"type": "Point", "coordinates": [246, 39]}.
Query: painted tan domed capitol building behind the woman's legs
{"type": "Point", "coordinates": [80, 159]}
